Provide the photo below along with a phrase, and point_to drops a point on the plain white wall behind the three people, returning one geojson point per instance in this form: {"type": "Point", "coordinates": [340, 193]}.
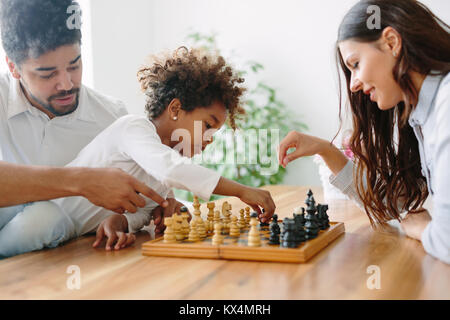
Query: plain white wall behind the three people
{"type": "Point", "coordinates": [293, 39]}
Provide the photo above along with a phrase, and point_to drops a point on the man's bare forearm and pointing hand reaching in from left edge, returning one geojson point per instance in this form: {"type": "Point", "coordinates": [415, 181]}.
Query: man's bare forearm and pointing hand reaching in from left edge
{"type": "Point", "coordinates": [110, 188]}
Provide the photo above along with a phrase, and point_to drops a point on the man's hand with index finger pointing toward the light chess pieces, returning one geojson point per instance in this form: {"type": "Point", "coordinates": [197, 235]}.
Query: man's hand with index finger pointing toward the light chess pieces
{"type": "Point", "coordinates": [115, 190]}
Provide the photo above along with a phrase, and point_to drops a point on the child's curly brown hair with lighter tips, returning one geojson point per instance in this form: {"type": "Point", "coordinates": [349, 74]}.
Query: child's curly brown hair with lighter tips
{"type": "Point", "coordinates": [194, 76]}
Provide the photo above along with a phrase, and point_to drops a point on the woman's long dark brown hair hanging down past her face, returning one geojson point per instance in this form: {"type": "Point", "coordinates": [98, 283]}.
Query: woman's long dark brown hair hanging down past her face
{"type": "Point", "coordinates": [388, 170]}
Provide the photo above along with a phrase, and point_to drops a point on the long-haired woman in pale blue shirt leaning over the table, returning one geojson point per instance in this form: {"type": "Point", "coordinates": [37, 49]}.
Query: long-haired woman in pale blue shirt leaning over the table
{"type": "Point", "coordinates": [398, 89]}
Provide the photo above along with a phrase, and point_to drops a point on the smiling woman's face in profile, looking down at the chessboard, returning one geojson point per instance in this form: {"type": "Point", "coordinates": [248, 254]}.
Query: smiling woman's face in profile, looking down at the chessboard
{"type": "Point", "coordinates": [371, 66]}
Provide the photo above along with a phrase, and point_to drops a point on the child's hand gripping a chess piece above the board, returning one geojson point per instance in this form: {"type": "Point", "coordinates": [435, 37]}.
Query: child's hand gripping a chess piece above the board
{"type": "Point", "coordinates": [257, 198]}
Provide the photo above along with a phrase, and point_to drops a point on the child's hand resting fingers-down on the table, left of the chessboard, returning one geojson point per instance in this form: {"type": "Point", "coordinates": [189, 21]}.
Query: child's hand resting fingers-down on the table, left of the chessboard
{"type": "Point", "coordinates": [115, 229]}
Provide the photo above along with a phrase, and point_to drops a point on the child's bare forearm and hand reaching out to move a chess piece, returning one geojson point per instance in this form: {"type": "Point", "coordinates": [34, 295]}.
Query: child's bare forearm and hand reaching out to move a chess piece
{"type": "Point", "coordinates": [254, 197]}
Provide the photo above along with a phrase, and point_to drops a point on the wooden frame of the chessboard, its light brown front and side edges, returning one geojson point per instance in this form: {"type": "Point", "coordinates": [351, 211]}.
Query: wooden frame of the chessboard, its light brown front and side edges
{"type": "Point", "coordinates": [272, 253]}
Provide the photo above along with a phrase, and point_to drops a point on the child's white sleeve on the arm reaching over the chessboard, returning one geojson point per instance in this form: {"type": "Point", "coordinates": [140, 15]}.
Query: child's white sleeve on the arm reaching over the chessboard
{"type": "Point", "coordinates": [140, 142]}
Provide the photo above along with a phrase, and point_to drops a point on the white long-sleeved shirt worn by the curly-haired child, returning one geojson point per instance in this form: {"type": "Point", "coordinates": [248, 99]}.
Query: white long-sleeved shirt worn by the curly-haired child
{"type": "Point", "coordinates": [132, 144]}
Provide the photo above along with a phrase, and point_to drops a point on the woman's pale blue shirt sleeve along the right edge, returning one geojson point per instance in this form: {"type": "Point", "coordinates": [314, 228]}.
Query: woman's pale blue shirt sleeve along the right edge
{"type": "Point", "coordinates": [436, 236]}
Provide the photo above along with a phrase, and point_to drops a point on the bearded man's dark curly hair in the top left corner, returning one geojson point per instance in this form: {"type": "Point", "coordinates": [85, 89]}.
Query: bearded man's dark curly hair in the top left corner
{"type": "Point", "coordinates": [30, 28]}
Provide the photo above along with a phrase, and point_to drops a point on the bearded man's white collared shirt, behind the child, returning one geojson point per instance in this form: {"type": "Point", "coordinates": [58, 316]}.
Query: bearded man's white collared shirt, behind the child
{"type": "Point", "coordinates": [28, 136]}
